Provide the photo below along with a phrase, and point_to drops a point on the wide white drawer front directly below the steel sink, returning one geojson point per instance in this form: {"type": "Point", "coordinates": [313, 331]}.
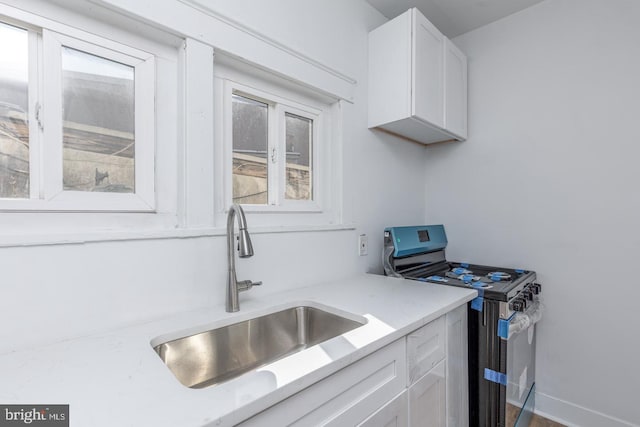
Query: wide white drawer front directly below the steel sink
{"type": "Point", "coordinates": [348, 396]}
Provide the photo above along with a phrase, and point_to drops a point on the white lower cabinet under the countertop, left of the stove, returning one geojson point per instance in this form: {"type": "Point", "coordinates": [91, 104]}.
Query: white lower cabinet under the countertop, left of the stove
{"type": "Point", "coordinates": [419, 380]}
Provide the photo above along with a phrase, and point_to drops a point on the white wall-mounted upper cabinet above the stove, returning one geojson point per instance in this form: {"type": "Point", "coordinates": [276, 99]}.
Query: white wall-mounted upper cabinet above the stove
{"type": "Point", "coordinates": [417, 81]}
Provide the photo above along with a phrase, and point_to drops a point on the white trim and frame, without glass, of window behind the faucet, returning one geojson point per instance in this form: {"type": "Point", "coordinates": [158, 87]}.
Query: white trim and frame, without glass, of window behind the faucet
{"type": "Point", "coordinates": [325, 209]}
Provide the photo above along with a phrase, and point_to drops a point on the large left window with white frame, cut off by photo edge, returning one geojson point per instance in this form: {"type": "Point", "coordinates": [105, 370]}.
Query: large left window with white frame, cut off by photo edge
{"type": "Point", "coordinates": [76, 121]}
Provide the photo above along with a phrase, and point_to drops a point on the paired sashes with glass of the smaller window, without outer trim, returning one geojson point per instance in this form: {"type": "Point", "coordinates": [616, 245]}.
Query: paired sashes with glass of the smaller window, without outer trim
{"type": "Point", "coordinates": [272, 150]}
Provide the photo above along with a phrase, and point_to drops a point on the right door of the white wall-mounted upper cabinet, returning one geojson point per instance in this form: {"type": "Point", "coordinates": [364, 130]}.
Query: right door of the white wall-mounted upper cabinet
{"type": "Point", "coordinates": [455, 115]}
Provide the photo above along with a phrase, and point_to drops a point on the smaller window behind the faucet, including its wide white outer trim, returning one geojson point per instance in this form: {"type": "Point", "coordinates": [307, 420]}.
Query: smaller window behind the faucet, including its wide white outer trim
{"type": "Point", "coordinates": [277, 149]}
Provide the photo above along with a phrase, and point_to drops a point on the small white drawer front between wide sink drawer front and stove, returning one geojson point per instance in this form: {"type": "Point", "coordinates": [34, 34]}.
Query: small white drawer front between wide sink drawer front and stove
{"type": "Point", "coordinates": [425, 348]}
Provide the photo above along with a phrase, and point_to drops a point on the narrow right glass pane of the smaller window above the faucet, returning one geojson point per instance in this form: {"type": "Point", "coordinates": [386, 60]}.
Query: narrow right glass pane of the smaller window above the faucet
{"type": "Point", "coordinates": [299, 149]}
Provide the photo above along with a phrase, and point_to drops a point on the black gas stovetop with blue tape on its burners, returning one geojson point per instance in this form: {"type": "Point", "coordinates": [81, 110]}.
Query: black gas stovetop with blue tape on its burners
{"type": "Point", "coordinates": [498, 283]}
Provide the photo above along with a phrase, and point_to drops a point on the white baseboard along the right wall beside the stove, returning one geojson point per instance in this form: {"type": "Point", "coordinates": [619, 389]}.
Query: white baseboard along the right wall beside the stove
{"type": "Point", "coordinates": [571, 415]}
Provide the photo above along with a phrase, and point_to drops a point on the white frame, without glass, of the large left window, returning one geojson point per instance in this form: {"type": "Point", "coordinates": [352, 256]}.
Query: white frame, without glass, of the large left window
{"type": "Point", "coordinates": [45, 121]}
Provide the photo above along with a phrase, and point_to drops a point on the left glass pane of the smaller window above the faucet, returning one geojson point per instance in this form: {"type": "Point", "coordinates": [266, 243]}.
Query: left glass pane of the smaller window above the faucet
{"type": "Point", "coordinates": [250, 142]}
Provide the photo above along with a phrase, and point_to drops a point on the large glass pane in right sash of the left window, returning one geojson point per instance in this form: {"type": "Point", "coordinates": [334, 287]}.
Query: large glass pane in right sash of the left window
{"type": "Point", "coordinates": [98, 123]}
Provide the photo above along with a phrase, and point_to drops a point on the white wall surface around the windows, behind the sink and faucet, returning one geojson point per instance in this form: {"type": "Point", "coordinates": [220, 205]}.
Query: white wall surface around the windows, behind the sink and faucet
{"type": "Point", "coordinates": [61, 291]}
